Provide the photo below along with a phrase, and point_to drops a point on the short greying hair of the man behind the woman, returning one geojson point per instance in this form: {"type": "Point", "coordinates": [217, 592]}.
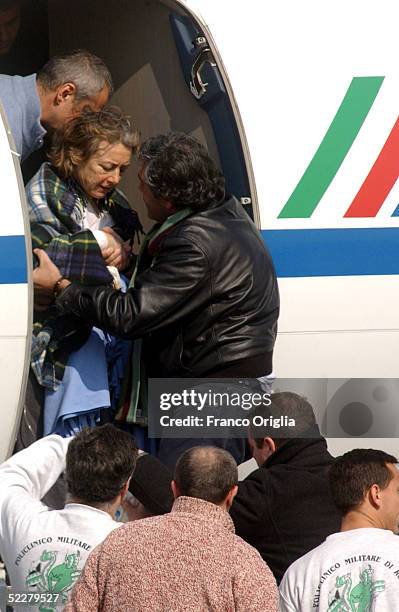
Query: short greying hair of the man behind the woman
{"type": "Point", "coordinates": [85, 70]}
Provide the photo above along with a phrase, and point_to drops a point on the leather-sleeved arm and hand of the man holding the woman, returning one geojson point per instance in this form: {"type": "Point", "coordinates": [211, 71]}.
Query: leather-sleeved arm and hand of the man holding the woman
{"type": "Point", "coordinates": [162, 295]}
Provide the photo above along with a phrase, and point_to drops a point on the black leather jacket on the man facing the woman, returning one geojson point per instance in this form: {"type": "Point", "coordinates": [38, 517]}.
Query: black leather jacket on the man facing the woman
{"type": "Point", "coordinates": [206, 299]}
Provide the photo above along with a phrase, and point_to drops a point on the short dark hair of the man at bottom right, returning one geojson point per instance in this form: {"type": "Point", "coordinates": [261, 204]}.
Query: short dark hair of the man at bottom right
{"type": "Point", "coordinates": [352, 475]}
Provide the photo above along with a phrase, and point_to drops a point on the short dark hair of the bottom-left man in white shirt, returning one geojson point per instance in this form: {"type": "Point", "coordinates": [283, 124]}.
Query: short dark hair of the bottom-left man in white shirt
{"type": "Point", "coordinates": [99, 462]}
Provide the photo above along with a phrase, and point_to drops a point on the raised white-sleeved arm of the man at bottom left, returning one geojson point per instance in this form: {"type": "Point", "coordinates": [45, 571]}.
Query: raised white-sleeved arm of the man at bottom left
{"type": "Point", "coordinates": [27, 476]}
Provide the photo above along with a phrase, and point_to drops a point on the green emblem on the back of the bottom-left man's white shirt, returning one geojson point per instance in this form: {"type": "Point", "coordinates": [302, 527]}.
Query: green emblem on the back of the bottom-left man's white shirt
{"type": "Point", "coordinates": [45, 576]}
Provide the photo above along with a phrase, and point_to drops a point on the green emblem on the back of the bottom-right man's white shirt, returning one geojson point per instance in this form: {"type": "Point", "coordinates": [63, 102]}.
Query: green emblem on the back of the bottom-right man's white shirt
{"type": "Point", "coordinates": [355, 596]}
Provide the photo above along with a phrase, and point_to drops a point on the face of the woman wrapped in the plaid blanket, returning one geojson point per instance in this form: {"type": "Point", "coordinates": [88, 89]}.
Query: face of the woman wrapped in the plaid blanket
{"type": "Point", "coordinates": [102, 171]}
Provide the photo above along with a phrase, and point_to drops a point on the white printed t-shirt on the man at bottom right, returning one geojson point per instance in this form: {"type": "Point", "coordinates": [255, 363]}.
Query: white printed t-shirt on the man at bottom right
{"type": "Point", "coordinates": [355, 570]}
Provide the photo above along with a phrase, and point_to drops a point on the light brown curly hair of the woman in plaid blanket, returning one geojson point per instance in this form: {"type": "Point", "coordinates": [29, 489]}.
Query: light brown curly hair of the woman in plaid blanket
{"type": "Point", "coordinates": [83, 135]}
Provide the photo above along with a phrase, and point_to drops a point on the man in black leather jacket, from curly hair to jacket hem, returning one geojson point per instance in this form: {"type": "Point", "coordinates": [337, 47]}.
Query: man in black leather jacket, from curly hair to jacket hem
{"type": "Point", "coordinates": [205, 298]}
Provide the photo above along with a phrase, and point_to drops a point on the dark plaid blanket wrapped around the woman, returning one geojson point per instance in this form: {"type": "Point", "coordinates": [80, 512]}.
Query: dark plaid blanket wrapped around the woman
{"type": "Point", "coordinates": [56, 214]}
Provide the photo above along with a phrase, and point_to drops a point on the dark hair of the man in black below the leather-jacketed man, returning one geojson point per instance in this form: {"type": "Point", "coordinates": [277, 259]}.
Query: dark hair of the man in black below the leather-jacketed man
{"type": "Point", "coordinates": [287, 404]}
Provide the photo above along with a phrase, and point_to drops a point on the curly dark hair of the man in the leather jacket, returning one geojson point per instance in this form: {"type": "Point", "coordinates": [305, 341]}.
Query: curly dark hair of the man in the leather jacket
{"type": "Point", "coordinates": [179, 169]}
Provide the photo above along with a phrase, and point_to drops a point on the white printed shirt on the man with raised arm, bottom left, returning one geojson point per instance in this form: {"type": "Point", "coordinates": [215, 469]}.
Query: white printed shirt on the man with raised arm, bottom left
{"type": "Point", "coordinates": [44, 550]}
